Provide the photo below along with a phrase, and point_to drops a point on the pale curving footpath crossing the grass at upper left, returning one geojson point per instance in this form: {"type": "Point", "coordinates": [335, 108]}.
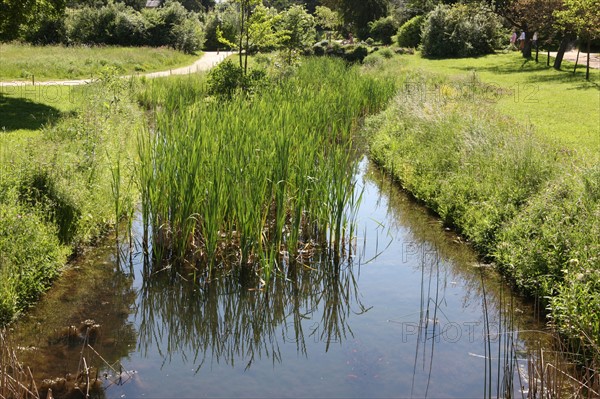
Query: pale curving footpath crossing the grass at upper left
{"type": "Point", "coordinates": [208, 60]}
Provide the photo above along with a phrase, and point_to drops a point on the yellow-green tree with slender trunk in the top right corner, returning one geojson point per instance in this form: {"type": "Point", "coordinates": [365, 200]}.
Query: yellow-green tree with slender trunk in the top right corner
{"type": "Point", "coordinates": [583, 16]}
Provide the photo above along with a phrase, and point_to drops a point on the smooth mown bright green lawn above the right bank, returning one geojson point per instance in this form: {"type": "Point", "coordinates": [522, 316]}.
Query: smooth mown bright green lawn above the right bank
{"type": "Point", "coordinates": [562, 106]}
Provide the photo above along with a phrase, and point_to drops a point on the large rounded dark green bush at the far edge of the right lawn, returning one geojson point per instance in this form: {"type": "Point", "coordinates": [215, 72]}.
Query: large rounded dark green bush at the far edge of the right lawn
{"type": "Point", "coordinates": [460, 31]}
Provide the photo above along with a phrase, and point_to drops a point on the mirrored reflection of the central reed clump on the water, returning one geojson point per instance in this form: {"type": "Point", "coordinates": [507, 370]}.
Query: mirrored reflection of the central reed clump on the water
{"type": "Point", "coordinates": [229, 320]}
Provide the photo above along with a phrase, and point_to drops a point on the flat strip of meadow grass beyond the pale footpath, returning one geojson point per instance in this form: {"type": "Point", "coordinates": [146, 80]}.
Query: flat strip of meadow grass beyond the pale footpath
{"type": "Point", "coordinates": [22, 61]}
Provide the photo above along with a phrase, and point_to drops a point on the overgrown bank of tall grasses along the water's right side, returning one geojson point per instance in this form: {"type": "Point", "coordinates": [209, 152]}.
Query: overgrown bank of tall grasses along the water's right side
{"type": "Point", "coordinates": [526, 201]}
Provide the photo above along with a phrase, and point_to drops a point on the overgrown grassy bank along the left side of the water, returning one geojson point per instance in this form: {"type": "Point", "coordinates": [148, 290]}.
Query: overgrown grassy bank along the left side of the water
{"type": "Point", "coordinates": [61, 184]}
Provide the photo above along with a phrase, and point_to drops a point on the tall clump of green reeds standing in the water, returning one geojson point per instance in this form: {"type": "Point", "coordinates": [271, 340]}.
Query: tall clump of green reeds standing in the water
{"type": "Point", "coordinates": [252, 177]}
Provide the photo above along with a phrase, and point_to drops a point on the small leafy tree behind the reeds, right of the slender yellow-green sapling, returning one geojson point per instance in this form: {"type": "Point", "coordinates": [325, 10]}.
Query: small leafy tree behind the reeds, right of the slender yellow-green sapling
{"type": "Point", "coordinates": [298, 29]}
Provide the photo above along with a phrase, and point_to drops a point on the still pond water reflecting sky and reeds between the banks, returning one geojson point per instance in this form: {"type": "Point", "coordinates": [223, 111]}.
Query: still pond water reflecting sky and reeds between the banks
{"type": "Point", "coordinates": [411, 314]}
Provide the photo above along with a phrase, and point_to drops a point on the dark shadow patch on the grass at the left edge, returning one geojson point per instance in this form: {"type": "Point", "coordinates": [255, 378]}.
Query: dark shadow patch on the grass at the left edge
{"type": "Point", "coordinates": [21, 113]}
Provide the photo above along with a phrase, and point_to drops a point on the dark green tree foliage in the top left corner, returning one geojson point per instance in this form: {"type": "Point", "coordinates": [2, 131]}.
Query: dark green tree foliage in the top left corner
{"type": "Point", "coordinates": [15, 14]}
